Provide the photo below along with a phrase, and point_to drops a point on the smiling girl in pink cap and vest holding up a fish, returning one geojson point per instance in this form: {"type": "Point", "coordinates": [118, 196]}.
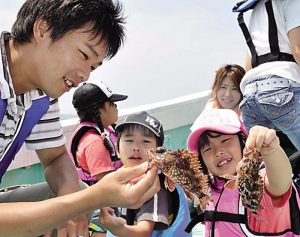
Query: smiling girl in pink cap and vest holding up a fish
{"type": "Point", "coordinates": [247, 200]}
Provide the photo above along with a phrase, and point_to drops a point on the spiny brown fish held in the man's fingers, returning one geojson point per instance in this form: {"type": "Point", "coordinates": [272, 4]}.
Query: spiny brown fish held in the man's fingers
{"type": "Point", "coordinates": [182, 167]}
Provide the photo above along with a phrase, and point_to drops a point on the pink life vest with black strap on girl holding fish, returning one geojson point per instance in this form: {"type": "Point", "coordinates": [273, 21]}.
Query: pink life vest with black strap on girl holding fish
{"type": "Point", "coordinates": [233, 221]}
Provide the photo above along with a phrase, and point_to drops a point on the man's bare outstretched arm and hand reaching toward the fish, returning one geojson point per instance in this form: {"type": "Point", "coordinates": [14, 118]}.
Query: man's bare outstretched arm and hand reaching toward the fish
{"type": "Point", "coordinates": [115, 189]}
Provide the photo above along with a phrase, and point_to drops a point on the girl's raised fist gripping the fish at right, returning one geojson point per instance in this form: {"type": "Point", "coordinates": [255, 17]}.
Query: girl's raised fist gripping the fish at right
{"type": "Point", "coordinates": [264, 139]}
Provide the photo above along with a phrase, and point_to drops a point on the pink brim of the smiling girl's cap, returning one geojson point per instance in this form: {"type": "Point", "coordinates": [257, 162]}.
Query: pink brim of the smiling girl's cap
{"type": "Point", "coordinates": [192, 141]}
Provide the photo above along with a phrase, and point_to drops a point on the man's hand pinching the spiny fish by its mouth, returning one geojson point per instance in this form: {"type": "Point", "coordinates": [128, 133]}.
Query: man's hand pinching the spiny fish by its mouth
{"type": "Point", "coordinates": [122, 188]}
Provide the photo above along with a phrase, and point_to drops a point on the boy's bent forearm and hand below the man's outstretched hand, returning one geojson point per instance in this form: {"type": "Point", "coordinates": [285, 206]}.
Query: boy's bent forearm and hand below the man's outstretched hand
{"type": "Point", "coordinates": [118, 226]}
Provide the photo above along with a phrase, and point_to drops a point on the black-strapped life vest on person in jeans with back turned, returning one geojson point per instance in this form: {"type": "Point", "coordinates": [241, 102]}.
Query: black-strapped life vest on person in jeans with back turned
{"type": "Point", "coordinates": [275, 54]}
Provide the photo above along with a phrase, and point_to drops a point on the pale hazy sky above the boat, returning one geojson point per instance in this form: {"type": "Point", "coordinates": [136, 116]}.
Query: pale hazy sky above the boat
{"type": "Point", "coordinates": [172, 48]}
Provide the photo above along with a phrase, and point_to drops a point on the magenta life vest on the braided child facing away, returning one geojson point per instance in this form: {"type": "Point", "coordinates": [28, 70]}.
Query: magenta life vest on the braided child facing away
{"type": "Point", "coordinates": [82, 128]}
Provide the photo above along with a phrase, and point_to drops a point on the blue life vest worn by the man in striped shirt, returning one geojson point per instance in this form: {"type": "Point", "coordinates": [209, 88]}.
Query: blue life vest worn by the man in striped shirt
{"type": "Point", "coordinates": [28, 120]}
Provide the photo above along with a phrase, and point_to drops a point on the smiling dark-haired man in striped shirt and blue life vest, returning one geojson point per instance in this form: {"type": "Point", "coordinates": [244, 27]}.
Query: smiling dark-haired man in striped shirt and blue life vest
{"type": "Point", "coordinates": [54, 45]}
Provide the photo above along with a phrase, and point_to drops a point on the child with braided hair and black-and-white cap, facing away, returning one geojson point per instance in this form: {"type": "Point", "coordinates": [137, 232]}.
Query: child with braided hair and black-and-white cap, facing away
{"type": "Point", "coordinates": [92, 143]}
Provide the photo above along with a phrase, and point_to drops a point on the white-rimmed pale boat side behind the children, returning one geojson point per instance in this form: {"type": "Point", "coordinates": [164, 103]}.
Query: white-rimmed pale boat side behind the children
{"type": "Point", "coordinates": [173, 113]}
